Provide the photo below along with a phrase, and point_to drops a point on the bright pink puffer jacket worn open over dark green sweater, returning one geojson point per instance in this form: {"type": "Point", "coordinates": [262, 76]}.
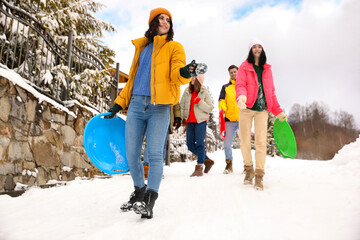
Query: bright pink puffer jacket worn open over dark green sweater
{"type": "Point", "coordinates": [247, 84]}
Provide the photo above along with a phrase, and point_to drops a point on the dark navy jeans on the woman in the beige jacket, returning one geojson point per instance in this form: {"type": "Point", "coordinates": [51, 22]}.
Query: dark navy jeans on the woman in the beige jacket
{"type": "Point", "coordinates": [195, 140]}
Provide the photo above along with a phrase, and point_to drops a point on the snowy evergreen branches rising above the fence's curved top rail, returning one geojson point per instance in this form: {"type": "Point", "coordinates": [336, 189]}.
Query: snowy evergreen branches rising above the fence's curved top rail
{"type": "Point", "coordinates": [62, 16]}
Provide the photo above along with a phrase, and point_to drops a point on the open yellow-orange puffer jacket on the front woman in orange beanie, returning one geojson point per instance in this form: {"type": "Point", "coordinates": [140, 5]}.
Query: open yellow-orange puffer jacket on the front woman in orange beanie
{"type": "Point", "coordinates": [167, 59]}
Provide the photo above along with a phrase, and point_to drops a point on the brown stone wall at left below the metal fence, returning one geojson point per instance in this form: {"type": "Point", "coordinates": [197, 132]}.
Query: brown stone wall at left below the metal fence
{"type": "Point", "coordinates": [39, 142]}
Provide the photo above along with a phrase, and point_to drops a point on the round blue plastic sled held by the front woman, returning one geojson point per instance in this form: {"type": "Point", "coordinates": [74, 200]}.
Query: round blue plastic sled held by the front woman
{"type": "Point", "coordinates": [104, 142]}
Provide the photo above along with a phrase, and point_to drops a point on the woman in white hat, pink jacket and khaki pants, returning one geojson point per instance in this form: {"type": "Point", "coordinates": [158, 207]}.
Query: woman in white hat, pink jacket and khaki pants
{"type": "Point", "coordinates": [255, 96]}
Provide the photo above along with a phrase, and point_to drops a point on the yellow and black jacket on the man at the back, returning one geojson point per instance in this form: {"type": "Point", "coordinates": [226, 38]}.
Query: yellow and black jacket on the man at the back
{"type": "Point", "coordinates": [227, 101]}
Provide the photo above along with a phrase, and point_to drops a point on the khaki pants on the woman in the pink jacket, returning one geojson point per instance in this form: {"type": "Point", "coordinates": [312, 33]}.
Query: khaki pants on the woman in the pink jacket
{"type": "Point", "coordinates": [245, 124]}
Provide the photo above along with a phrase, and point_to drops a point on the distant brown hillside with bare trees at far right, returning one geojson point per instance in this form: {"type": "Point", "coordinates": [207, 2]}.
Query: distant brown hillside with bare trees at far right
{"type": "Point", "coordinates": [318, 134]}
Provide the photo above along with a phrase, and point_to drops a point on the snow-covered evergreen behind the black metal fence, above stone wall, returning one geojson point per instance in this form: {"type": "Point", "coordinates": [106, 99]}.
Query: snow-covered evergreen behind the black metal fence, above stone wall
{"type": "Point", "coordinates": [33, 56]}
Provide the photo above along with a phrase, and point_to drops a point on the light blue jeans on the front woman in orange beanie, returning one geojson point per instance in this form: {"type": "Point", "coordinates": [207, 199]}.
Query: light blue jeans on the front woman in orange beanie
{"type": "Point", "coordinates": [144, 117]}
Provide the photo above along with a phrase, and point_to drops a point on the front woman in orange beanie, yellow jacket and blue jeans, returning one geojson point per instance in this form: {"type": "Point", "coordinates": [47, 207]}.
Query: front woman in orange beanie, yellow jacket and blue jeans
{"type": "Point", "coordinates": [157, 71]}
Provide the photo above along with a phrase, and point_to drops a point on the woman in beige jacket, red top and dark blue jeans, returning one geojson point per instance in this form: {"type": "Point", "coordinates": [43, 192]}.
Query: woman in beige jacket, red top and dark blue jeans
{"type": "Point", "coordinates": [196, 104]}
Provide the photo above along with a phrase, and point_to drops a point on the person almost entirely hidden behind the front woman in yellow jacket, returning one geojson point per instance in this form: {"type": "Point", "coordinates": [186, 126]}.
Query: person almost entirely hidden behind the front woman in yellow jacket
{"type": "Point", "coordinates": [175, 122]}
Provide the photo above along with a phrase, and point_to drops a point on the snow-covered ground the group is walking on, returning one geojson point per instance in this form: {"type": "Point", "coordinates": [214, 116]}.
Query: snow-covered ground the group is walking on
{"type": "Point", "coordinates": [301, 200]}
